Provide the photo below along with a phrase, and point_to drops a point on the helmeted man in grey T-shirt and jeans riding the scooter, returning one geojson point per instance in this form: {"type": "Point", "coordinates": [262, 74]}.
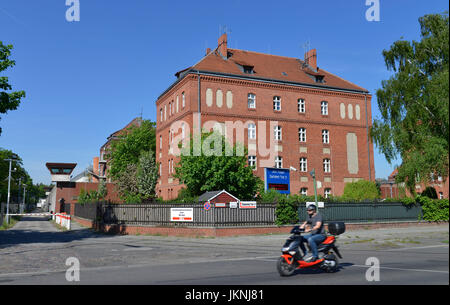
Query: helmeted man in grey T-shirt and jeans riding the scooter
{"type": "Point", "coordinates": [317, 232]}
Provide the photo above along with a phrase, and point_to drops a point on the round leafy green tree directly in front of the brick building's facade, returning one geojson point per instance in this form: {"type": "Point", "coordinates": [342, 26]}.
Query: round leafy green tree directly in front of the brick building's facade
{"type": "Point", "coordinates": [217, 171]}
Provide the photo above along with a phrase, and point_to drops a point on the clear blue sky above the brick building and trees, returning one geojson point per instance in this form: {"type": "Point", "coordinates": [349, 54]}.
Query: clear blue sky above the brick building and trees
{"type": "Point", "coordinates": [87, 79]}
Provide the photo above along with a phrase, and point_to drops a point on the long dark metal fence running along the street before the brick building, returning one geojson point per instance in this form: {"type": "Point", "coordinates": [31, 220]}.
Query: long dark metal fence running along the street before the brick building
{"type": "Point", "coordinates": [159, 214]}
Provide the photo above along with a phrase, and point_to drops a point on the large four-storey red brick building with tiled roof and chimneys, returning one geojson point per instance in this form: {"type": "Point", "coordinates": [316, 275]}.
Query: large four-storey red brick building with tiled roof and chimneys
{"type": "Point", "coordinates": [308, 117]}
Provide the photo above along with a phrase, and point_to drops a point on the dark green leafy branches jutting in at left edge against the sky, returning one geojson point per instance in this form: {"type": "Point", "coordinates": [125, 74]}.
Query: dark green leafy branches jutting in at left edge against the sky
{"type": "Point", "coordinates": [8, 101]}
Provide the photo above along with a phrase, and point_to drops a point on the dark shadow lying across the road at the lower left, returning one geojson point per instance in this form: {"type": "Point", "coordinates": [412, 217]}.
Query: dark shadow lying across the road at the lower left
{"type": "Point", "coordinates": [39, 234]}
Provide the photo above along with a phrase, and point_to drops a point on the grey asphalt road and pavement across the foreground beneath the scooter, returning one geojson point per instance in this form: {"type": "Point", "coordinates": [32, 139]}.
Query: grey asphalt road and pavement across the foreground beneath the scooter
{"type": "Point", "coordinates": [36, 252]}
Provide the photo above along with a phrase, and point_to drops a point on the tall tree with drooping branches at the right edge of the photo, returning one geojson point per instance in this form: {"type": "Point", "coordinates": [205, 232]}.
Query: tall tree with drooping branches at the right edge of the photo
{"type": "Point", "coordinates": [414, 104]}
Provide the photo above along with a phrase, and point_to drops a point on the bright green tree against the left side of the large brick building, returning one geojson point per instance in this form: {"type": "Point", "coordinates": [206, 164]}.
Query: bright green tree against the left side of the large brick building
{"type": "Point", "coordinates": [127, 149]}
